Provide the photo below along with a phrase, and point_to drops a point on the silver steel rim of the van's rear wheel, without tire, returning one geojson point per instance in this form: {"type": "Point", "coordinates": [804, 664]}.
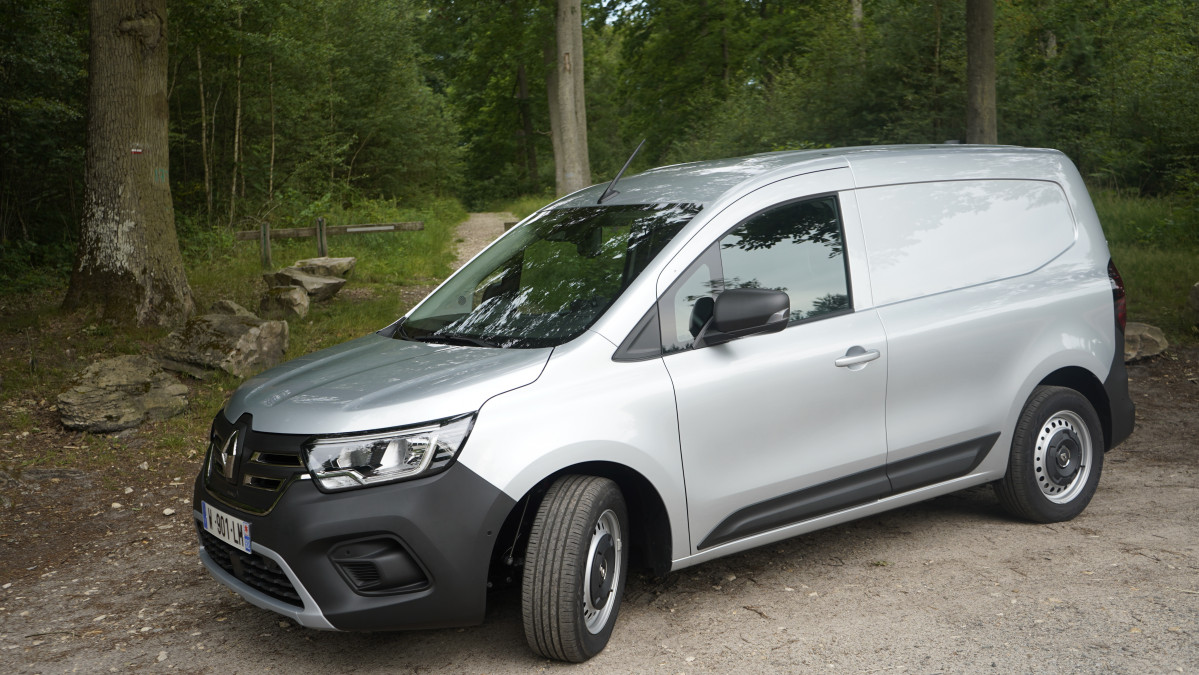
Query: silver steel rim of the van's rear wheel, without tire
{"type": "Point", "coordinates": [1057, 438]}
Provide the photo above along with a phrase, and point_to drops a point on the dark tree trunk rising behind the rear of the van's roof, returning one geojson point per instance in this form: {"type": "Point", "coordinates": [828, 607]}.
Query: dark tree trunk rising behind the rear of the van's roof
{"type": "Point", "coordinates": [981, 124]}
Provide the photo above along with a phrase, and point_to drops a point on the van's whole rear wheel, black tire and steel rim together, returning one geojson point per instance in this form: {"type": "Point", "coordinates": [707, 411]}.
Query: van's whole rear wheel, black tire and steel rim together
{"type": "Point", "coordinates": [1057, 457]}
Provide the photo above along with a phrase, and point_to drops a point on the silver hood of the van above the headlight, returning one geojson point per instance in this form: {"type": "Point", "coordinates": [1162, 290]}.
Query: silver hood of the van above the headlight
{"type": "Point", "coordinates": [377, 383]}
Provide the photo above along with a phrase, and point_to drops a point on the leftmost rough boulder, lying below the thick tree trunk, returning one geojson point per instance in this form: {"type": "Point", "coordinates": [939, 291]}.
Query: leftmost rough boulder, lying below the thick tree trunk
{"type": "Point", "coordinates": [120, 394]}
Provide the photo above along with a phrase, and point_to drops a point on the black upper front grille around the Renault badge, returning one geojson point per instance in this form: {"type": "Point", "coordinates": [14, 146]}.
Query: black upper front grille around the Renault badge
{"type": "Point", "coordinates": [263, 466]}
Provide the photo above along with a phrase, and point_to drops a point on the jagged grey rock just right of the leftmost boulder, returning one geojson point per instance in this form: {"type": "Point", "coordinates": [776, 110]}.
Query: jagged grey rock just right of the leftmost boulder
{"type": "Point", "coordinates": [236, 343]}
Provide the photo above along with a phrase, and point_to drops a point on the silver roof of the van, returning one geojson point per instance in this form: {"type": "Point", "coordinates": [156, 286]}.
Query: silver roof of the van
{"type": "Point", "coordinates": [706, 183]}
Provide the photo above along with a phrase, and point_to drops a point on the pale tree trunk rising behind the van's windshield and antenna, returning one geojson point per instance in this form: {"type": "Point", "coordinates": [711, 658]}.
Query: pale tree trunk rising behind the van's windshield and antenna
{"type": "Point", "coordinates": [568, 104]}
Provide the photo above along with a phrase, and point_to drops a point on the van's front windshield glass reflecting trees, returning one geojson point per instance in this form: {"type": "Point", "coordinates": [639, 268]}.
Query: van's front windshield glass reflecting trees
{"type": "Point", "coordinates": [547, 282]}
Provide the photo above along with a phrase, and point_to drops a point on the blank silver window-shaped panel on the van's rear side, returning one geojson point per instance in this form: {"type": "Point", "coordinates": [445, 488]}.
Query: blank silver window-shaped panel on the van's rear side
{"type": "Point", "coordinates": [930, 238]}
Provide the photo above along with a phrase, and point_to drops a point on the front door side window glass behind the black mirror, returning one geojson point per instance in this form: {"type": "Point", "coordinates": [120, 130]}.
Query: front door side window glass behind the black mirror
{"type": "Point", "coordinates": [796, 248]}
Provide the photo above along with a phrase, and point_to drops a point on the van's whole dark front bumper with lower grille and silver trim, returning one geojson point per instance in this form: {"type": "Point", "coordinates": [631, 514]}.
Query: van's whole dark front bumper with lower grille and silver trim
{"type": "Point", "coordinates": [431, 538]}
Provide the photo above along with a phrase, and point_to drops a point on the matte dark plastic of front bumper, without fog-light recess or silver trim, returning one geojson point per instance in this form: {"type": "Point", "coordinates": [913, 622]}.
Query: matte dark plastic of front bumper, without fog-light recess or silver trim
{"type": "Point", "coordinates": [448, 522]}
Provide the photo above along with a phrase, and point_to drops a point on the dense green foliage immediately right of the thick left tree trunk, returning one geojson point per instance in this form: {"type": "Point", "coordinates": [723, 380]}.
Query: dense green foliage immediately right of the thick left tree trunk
{"type": "Point", "coordinates": [335, 103]}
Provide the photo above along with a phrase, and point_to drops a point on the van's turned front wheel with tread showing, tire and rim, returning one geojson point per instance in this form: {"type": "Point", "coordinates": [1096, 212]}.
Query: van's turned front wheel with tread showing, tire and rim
{"type": "Point", "coordinates": [575, 569]}
